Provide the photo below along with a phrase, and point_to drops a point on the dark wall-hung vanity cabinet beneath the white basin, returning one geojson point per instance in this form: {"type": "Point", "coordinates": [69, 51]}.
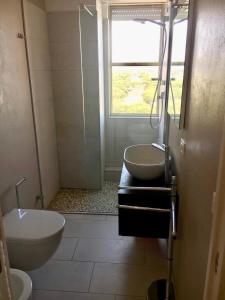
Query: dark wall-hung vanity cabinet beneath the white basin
{"type": "Point", "coordinates": [143, 223]}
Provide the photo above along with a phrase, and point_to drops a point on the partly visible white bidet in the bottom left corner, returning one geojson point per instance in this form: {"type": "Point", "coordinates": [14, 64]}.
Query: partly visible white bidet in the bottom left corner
{"type": "Point", "coordinates": [21, 285]}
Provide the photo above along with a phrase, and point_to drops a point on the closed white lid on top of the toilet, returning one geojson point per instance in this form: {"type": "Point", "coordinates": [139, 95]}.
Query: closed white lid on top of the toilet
{"type": "Point", "coordinates": [32, 225]}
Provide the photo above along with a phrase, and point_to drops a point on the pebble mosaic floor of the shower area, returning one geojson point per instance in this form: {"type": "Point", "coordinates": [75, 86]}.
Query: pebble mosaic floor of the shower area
{"type": "Point", "coordinates": [87, 201]}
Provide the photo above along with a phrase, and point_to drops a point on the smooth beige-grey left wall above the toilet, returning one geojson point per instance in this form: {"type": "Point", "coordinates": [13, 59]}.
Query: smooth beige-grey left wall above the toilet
{"type": "Point", "coordinates": [18, 156]}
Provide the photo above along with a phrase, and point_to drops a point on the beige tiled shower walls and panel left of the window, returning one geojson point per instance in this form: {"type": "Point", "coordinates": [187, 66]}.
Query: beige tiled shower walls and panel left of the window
{"type": "Point", "coordinates": [65, 63]}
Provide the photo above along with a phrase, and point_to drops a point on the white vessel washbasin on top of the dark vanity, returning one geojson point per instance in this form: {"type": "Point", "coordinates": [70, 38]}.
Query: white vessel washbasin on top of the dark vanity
{"type": "Point", "coordinates": [144, 162]}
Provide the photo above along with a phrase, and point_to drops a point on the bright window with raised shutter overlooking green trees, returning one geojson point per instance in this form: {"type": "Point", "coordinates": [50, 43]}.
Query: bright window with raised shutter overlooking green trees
{"type": "Point", "coordinates": [135, 52]}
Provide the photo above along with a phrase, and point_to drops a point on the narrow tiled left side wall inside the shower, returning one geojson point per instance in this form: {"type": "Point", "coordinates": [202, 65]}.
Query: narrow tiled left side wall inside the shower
{"type": "Point", "coordinates": [41, 80]}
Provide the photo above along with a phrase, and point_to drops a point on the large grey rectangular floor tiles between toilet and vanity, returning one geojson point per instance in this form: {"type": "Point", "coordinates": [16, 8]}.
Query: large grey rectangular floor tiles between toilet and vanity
{"type": "Point", "coordinates": [94, 263]}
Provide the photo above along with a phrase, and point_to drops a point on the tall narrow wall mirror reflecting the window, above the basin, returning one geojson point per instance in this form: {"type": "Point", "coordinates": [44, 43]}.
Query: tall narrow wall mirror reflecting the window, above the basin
{"type": "Point", "coordinates": [179, 63]}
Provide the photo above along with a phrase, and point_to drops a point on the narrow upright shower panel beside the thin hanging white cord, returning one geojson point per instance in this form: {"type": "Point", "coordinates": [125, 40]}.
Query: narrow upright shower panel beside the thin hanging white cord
{"type": "Point", "coordinates": [90, 95]}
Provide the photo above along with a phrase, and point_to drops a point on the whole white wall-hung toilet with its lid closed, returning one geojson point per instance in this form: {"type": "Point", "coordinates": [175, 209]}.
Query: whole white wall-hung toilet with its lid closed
{"type": "Point", "coordinates": [32, 236]}
